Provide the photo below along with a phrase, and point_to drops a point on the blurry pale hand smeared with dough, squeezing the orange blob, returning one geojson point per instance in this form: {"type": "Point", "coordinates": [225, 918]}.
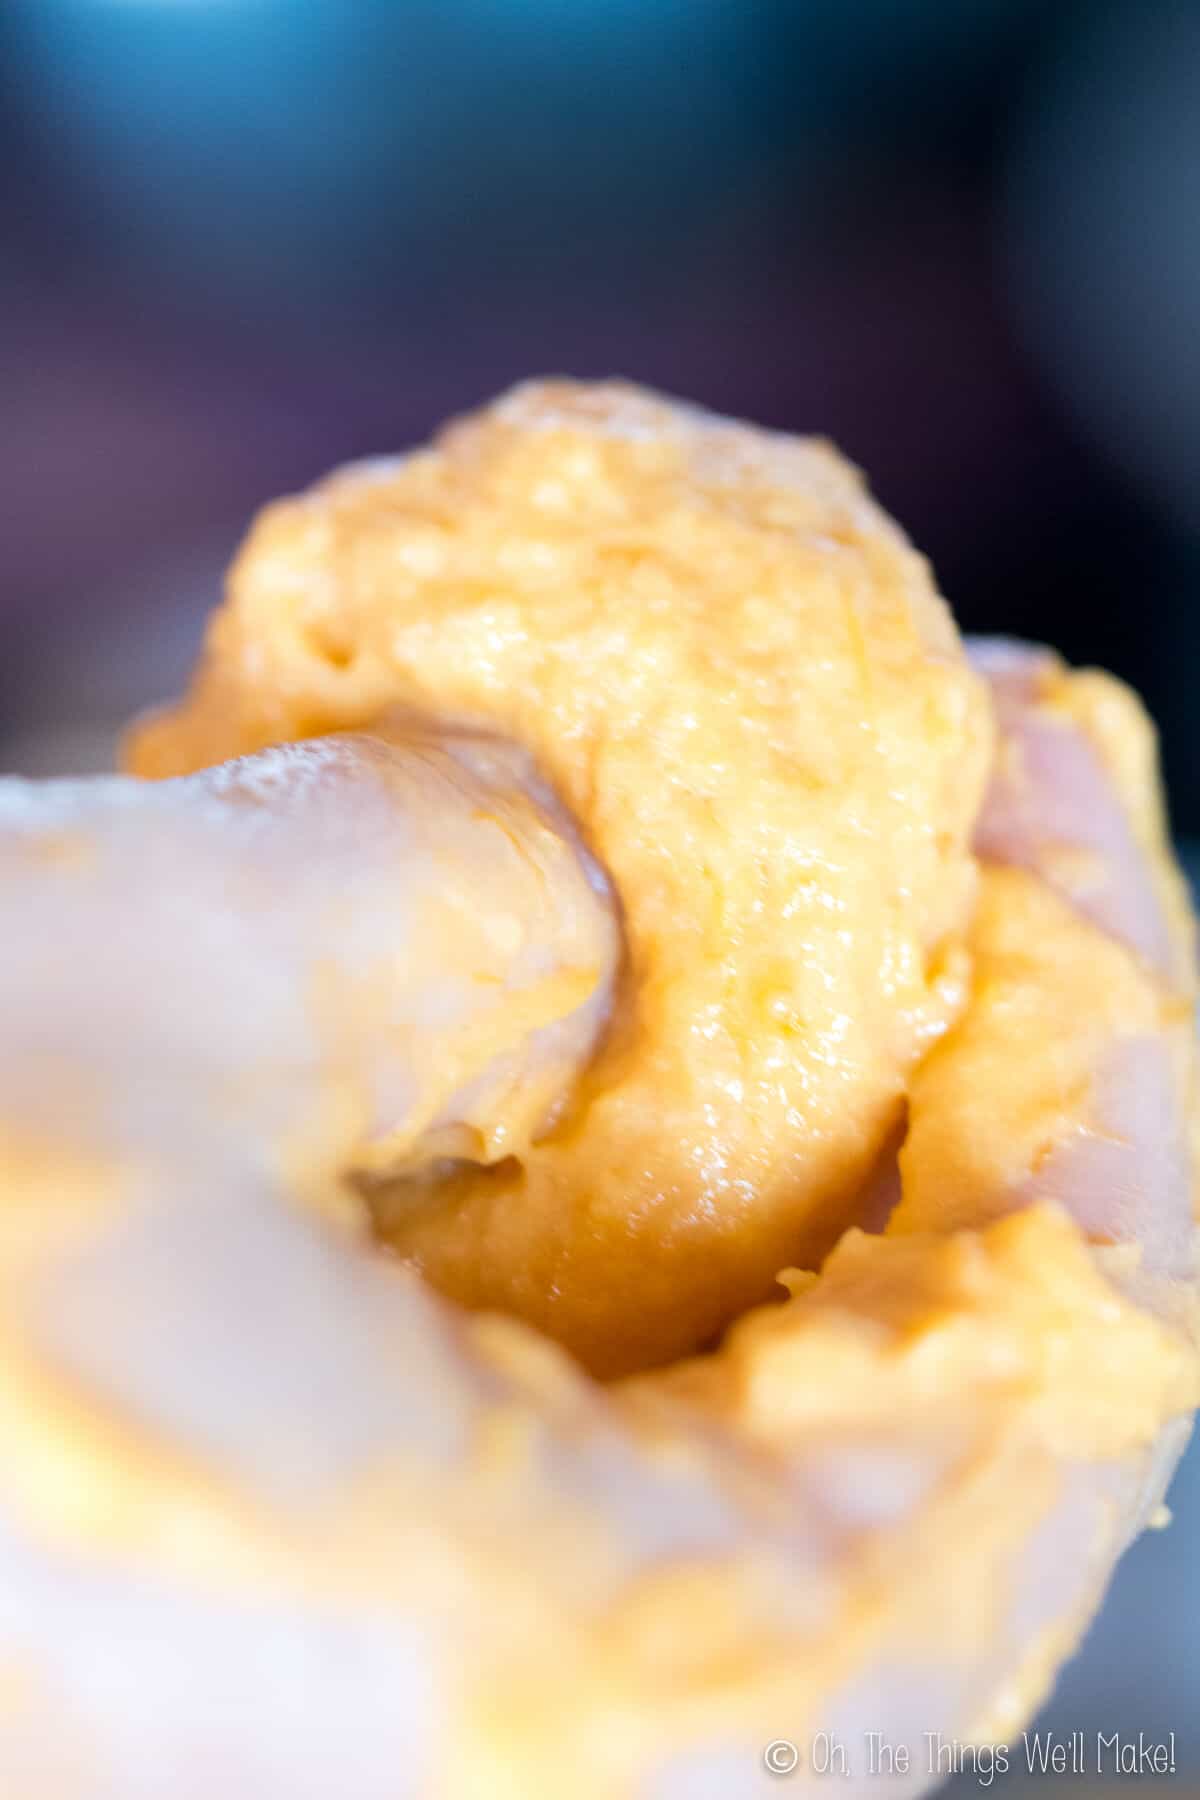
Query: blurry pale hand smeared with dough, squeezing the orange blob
{"type": "Point", "coordinates": [280, 1524]}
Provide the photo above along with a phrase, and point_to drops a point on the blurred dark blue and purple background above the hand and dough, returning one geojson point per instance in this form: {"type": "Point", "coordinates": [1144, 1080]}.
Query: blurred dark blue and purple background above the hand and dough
{"type": "Point", "coordinates": [242, 240]}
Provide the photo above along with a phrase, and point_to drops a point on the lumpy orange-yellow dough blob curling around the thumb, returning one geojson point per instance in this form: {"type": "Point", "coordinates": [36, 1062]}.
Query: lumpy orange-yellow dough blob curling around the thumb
{"type": "Point", "coordinates": [740, 679]}
